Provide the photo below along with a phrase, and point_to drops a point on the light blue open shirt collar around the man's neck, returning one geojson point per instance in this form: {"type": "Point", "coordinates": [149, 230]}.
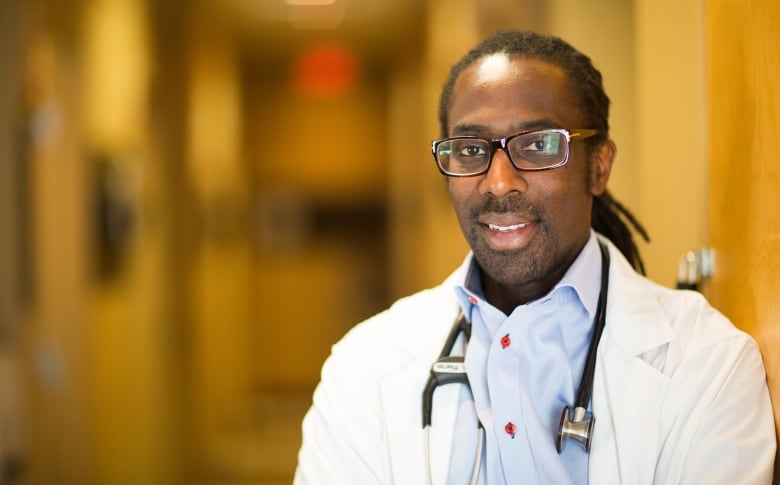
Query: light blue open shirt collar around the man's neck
{"type": "Point", "coordinates": [583, 276]}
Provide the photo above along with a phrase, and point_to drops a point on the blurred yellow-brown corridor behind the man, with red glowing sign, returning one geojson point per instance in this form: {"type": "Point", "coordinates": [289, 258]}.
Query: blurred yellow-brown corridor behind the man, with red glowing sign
{"type": "Point", "coordinates": [199, 198]}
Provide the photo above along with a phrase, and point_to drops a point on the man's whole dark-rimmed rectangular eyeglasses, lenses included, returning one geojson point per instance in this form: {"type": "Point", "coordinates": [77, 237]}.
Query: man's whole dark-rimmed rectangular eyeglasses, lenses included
{"type": "Point", "coordinates": [466, 156]}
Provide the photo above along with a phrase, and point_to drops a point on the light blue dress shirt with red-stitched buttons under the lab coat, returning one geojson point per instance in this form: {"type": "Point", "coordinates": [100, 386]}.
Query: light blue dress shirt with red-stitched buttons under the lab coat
{"type": "Point", "coordinates": [523, 369]}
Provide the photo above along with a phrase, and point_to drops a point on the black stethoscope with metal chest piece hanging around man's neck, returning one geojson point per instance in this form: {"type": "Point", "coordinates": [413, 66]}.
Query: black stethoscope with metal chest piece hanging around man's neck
{"type": "Point", "coordinates": [576, 424]}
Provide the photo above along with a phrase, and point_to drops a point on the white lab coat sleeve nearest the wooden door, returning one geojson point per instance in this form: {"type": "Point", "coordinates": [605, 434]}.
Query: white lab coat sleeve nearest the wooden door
{"type": "Point", "coordinates": [733, 438]}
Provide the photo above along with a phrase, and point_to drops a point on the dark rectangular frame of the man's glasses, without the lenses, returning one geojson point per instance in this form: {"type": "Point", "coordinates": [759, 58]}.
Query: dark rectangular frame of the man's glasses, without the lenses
{"type": "Point", "coordinates": [502, 143]}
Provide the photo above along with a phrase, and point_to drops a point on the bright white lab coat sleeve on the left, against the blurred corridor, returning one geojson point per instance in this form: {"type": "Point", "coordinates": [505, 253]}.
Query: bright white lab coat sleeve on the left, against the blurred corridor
{"type": "Point", "coordinates": [343, 426]}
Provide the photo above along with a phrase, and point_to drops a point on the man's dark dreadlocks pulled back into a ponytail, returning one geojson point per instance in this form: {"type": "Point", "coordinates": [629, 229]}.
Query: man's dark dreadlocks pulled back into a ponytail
{"type": "Point", "coordinates": [608, 216]}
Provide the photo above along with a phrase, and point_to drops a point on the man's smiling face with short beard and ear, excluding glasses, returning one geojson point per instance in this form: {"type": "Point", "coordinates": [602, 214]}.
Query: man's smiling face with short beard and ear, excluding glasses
{"type": "Point", "coordinates": [525, 228]}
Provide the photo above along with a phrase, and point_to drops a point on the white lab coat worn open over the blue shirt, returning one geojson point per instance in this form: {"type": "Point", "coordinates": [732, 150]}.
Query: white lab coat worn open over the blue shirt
{"type": "Point", "coordinates": [679, 396]}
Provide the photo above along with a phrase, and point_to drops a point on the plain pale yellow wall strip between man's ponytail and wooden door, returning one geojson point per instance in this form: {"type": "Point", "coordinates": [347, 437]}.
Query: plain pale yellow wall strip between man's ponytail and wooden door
{"type": "Point", "coordinates": [672, 133]}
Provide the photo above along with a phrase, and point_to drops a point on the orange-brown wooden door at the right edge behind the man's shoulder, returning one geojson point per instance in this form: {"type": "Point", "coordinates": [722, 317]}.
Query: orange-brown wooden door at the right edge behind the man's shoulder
{"type": "Point", "coordinates": [743, 71]}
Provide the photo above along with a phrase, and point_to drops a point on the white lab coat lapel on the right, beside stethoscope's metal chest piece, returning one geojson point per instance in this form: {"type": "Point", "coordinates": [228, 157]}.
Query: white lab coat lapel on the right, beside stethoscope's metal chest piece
{"type": "Point", "coordinates": [628, 390]}
